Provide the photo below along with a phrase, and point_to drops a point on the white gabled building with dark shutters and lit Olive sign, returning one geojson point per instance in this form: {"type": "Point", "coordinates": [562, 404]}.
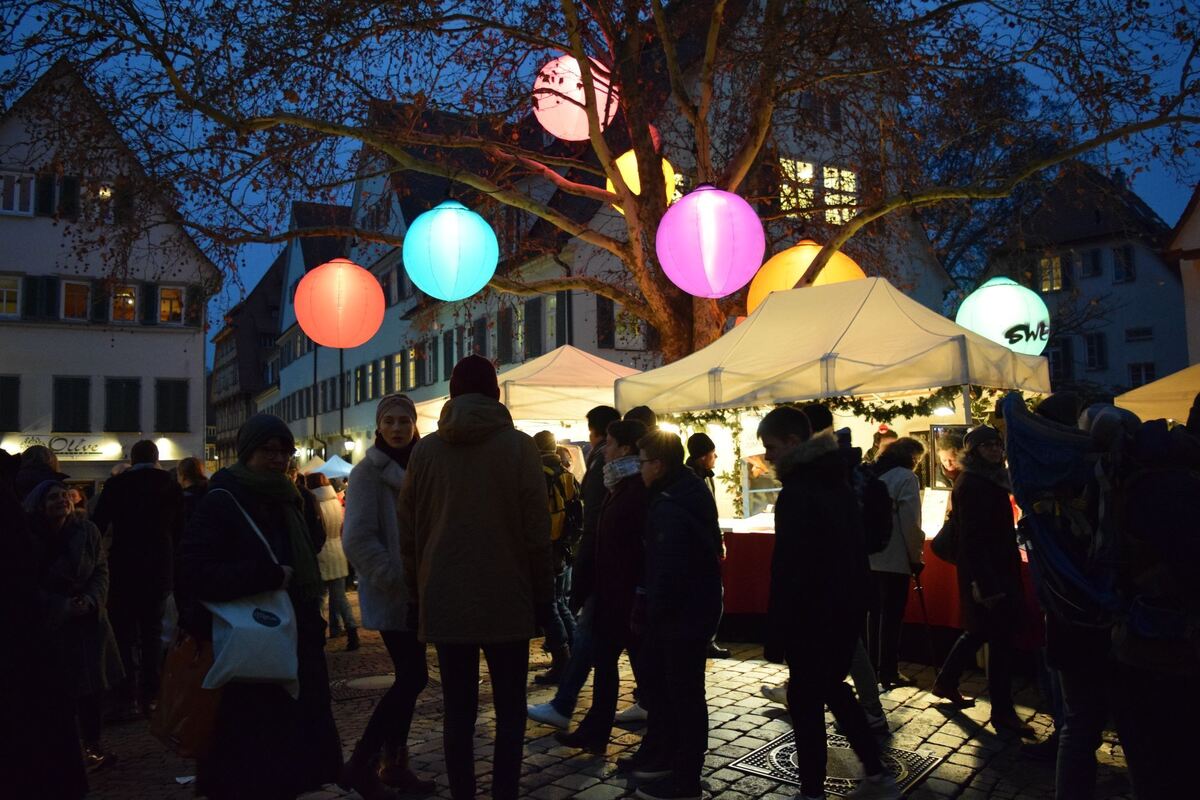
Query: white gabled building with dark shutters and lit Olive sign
{"type": "Point", "coordinates": [100, 346]}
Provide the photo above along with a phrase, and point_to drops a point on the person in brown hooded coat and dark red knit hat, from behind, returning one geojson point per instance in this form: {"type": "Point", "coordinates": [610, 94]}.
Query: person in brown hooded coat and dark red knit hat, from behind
{"type": "Point", "coordinates": [475, 534]}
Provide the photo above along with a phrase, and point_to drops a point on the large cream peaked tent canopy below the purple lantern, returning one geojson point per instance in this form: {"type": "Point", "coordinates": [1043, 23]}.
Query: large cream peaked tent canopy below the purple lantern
{"type": "Point", "coordinates": [860, 338]}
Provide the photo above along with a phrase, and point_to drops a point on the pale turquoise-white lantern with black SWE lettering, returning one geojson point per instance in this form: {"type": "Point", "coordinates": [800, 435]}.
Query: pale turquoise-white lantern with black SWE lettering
{"type": "Point", "coordinates": [1006, 312]}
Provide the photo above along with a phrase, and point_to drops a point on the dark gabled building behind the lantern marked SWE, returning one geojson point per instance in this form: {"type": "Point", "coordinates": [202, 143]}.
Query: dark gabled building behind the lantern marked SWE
{"type": "Point", "coordinates": [1099, 257]}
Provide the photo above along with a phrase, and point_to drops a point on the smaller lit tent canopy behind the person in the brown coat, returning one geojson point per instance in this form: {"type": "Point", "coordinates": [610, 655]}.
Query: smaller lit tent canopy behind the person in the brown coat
{"type": "Point", "coordinates": [563, 384]}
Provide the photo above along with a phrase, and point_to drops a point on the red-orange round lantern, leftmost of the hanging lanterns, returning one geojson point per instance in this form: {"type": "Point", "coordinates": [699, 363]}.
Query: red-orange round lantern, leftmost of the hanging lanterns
{"type": "Point", "coordinates": [339, 304]}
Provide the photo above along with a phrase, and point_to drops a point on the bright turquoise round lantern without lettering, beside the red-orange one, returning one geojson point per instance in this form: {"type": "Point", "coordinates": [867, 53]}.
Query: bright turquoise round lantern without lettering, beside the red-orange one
{"type": "Point", "coordinates": [451, 252]}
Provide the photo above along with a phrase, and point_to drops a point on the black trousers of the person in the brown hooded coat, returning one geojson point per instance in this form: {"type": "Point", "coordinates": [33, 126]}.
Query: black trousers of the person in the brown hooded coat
{"type": "Point", "coordinates": [508, 665]}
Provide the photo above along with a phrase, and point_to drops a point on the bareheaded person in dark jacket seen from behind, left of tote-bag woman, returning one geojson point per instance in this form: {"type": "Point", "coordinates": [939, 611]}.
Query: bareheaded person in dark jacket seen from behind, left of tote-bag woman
{"type": "Point", "coordinates": [145, 508]}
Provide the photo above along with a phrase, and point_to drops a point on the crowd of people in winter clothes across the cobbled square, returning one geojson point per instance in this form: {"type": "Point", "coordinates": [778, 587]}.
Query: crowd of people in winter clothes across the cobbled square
{"type": "Point", "coordinates": [477, 539]}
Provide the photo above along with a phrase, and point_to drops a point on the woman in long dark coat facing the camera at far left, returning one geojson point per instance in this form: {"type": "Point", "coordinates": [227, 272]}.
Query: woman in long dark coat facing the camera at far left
{"type": "Point", "coordinates": [75, 592]}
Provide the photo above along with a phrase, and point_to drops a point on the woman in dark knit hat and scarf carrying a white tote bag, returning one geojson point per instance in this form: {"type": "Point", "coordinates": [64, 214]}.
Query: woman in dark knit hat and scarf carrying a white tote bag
{"type": "Point", "coordinates": [267, 745]}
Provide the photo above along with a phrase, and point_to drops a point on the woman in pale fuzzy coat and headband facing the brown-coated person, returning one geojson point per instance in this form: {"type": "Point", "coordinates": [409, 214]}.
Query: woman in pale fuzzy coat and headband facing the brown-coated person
{"type": "Point", "coordinates": [373, 544]}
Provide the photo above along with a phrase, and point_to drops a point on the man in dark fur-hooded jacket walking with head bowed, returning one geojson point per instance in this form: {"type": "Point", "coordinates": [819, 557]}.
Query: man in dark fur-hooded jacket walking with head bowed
{"type": "Point", "coordinates": [819, 588]}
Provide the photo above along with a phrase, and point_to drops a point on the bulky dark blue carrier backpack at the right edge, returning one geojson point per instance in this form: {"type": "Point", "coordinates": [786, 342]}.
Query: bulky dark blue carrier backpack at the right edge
{"type": "Point", "coordinates": [1082, 502]}
